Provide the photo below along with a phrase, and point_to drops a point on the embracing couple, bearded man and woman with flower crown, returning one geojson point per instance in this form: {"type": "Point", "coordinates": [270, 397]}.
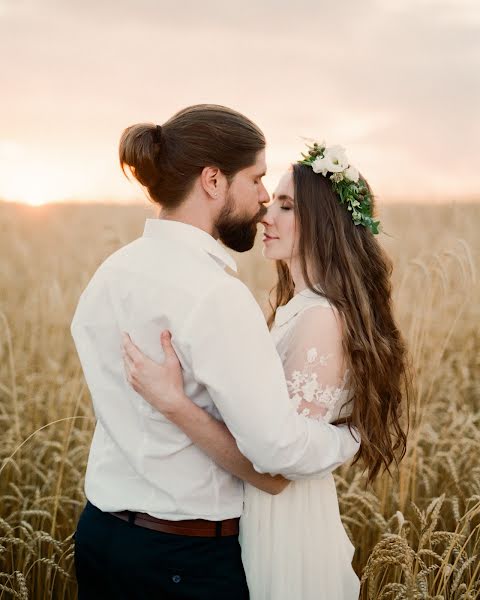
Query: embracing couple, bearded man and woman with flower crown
{"type": "Point", "coordinates": [210, 470]}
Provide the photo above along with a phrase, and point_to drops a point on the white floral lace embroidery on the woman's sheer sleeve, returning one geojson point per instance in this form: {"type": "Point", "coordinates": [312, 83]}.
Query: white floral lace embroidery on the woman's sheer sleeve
{"type": "Point", "coordinates": [304, 387]}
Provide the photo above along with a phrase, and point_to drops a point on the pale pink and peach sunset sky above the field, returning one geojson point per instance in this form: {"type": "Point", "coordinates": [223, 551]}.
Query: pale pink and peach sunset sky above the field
{"type": "Point", "coordinates": [396, 82]}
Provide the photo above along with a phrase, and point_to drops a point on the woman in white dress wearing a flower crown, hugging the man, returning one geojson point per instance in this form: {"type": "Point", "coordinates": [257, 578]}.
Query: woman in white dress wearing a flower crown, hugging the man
{"type": "Point", "coordinates": [344, 361]}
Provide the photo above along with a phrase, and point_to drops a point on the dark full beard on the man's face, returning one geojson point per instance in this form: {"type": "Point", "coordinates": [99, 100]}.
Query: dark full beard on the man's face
{"type": "Point", "coordinates": [235, 231]}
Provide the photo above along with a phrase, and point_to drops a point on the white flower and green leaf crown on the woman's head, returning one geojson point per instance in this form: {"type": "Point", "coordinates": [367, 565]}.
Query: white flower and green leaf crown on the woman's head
{"type": "Point", "coordinates": [351, 189]}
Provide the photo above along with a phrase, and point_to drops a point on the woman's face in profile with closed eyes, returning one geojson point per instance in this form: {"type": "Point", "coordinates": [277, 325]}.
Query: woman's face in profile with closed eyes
{"type": "Point", "coordinates": [280, 240]}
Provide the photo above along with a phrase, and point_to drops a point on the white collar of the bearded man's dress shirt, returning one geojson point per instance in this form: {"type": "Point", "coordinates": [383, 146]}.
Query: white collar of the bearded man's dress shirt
{"type": "Point", "coordinates": [194, 236]}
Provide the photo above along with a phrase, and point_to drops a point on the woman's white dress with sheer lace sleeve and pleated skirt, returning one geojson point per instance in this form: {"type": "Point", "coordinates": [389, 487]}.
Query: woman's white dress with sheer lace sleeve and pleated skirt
{"type": "Point", "coordinates": [294, 546]}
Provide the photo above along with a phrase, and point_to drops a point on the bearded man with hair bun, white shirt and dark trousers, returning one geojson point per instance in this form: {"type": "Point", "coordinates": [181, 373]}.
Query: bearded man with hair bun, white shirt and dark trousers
{"type": "Point", "coordinates": [161, 520]}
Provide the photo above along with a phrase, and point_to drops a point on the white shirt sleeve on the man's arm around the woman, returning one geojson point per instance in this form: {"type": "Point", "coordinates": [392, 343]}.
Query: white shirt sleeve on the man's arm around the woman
{"type": "Point", "coordinates": [230, 350]}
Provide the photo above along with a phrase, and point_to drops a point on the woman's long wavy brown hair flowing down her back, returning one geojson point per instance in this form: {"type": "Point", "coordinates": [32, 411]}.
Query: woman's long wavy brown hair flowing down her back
{"type": "Point", "coordinates": [354, 274]}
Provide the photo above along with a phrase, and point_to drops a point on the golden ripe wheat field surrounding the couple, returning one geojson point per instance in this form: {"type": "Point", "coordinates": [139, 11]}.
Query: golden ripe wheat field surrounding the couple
{"type": "Point", "coordinates": [417, 534]}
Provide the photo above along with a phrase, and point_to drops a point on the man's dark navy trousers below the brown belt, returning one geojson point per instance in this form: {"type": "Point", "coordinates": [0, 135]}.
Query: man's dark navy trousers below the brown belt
{"type": "Point", "coordinates": [115, 560]}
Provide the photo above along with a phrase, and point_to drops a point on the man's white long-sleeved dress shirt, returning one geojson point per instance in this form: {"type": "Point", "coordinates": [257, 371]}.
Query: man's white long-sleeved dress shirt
{"type": "Point", "coordinates": [174, 277]}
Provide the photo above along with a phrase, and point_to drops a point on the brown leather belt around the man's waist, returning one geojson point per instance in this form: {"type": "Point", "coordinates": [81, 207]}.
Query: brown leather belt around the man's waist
{"type": "Point", "coordinates": [193, 527]}
